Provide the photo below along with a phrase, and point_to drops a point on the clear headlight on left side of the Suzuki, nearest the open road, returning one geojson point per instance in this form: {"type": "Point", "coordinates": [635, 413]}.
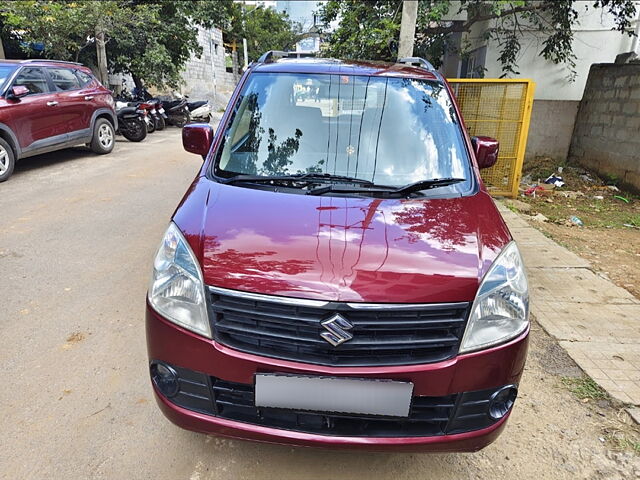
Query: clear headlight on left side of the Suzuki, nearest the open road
{"type": "Point", "coordinates": [177, 289]}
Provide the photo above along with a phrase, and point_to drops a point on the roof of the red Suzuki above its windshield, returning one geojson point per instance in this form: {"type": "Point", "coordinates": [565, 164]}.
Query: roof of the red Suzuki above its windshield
{"type": "Point", "coordinates": [344, 67]}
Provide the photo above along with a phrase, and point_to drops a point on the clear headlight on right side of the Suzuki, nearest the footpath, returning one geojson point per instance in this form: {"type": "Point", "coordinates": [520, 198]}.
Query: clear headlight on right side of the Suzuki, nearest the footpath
{"type": "Point", "coordinates": [500, 311]}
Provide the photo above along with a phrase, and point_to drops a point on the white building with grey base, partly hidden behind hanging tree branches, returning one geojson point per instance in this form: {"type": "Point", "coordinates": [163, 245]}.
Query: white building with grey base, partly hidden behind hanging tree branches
{"type": "Point", "coordinates": [556, 96]}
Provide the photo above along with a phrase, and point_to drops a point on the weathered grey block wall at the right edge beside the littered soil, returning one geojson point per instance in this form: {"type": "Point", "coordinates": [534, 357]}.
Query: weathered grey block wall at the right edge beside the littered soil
{"type": "Point", "coordinates": [606, 136]}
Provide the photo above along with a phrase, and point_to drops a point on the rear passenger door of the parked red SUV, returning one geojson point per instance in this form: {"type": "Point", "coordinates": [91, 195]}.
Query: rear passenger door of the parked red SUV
{"type": "Point", "coordinates": [73, 104]}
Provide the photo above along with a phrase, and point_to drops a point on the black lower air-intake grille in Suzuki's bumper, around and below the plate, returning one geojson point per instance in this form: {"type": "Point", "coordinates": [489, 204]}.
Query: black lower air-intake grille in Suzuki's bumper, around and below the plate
{"type": "Point", "coordinates": [429, 416]}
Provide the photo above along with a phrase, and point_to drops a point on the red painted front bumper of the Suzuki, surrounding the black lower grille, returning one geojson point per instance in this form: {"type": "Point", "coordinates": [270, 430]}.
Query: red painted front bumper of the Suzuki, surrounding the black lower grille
{"type": "Point", "coordinates": [479, 371]}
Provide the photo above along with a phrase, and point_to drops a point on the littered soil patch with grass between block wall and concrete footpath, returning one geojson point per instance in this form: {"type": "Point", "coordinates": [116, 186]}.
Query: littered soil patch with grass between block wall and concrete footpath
{"type": "Point", "coordinates": [609, 237]}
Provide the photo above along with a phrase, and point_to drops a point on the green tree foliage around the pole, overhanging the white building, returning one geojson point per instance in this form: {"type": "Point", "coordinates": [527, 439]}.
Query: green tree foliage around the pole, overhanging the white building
{"type": "Point", "coordinates": [370, 29]}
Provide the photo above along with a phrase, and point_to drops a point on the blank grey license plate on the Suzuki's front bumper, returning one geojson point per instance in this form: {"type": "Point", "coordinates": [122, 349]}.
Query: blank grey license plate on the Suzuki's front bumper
{"type": "Point", "coordinates": [334, 394]}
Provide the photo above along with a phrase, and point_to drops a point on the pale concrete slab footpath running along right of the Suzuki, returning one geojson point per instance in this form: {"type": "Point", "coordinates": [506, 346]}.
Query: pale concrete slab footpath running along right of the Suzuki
{"type": "Point", "coordinates": [595, 321]}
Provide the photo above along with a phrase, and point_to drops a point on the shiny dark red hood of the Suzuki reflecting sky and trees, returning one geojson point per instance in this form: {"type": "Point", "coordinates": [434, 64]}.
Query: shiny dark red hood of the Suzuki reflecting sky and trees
{"type": "Point", "coordinates": [341, 248]}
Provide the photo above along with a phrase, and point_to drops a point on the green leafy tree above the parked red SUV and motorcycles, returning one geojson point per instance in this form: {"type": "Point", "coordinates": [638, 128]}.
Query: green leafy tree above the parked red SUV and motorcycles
{"type": "Point", "coordinates": [149, 39]}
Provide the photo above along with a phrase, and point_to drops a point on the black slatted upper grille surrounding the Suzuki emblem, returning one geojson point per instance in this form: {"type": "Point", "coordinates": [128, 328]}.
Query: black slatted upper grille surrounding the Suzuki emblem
{"type": "Point", "coordinates": [290, 329]}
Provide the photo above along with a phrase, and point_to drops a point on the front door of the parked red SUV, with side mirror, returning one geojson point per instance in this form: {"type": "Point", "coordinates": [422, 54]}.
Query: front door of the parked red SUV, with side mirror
{"type": "Point", "coordinates": [36, 120]}
